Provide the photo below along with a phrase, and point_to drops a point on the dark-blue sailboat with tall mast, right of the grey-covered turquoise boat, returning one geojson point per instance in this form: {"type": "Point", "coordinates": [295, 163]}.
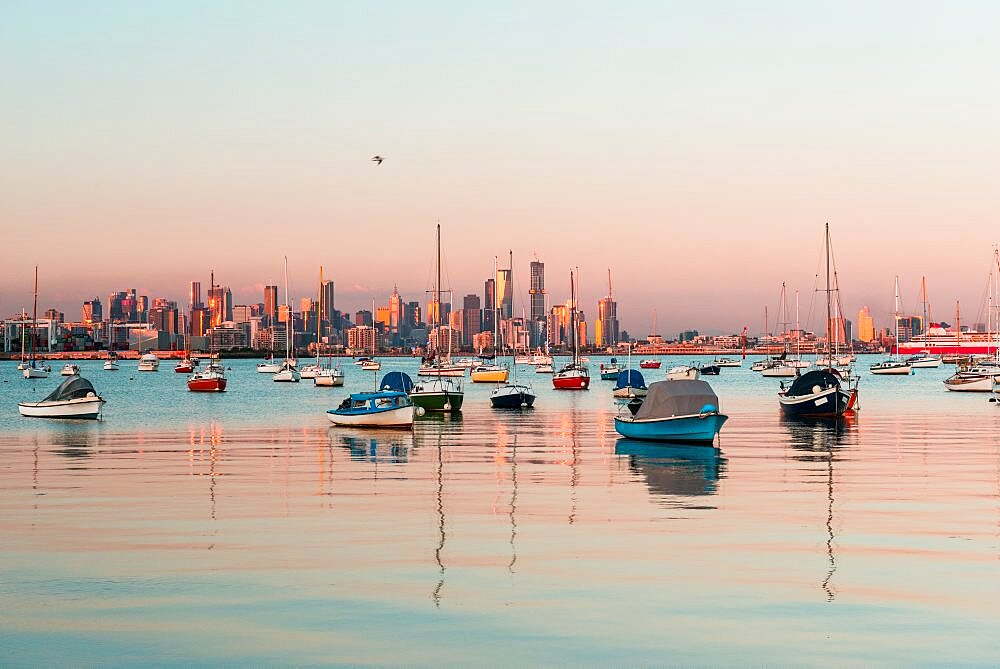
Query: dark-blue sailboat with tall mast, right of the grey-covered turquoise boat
{"type": "Point", "coordinates": [821, 393]}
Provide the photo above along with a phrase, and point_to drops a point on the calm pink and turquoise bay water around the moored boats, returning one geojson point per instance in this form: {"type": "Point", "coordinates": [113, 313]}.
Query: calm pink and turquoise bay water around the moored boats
{"type": "Point", "coordinates": [241, 528]}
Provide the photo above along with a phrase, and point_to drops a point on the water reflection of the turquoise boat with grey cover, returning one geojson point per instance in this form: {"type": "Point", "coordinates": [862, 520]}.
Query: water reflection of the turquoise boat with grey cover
{"type": "Point", "coordinates": [674, 470]}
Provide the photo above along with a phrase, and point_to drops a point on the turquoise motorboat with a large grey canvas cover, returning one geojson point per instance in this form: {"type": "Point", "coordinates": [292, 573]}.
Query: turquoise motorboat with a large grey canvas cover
{"type": "Point", "coordinates": [683, 410]}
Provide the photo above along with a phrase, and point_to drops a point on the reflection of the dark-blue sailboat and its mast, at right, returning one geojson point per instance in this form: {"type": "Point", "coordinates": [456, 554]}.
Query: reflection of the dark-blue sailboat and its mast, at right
{"type": "Point", "coordinates": [818, 441]}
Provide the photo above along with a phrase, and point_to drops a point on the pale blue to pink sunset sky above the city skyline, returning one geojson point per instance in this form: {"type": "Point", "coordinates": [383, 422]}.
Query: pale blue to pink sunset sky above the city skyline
{"type": "Point", "coordinates": [695, 149]}
